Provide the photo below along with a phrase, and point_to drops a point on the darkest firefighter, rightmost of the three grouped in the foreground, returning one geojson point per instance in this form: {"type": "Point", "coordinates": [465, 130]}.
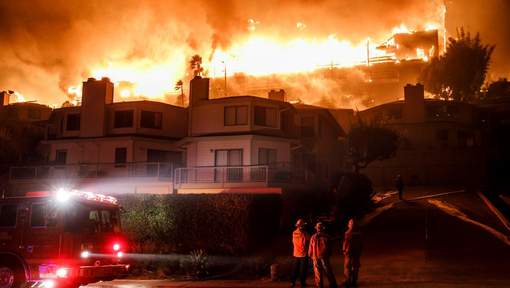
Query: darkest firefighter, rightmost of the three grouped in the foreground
{"type": "Point", "coordinates": [352, 252]}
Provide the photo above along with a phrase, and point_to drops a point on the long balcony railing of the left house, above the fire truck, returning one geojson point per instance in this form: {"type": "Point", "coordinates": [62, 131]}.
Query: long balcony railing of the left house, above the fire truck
{"type": "Point", "coordinates": [131, 169]}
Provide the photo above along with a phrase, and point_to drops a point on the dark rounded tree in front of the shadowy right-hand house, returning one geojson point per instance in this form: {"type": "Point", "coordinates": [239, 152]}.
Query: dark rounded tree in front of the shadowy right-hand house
{"type": "Point", "coordinates": [368, 143]}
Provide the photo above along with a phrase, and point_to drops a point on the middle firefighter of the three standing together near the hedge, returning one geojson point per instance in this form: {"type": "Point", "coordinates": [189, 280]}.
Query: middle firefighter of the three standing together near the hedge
{"type": "Point", "coordinates": [319, 251]}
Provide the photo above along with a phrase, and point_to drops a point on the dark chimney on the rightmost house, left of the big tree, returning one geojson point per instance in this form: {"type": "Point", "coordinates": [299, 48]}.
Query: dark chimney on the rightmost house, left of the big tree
{"type": "Point", "coordinates": [414, 103]}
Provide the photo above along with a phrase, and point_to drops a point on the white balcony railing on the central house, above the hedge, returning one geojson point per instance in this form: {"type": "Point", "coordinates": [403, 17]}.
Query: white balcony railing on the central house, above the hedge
{"type": "Point", "coordinates": [217, 176]}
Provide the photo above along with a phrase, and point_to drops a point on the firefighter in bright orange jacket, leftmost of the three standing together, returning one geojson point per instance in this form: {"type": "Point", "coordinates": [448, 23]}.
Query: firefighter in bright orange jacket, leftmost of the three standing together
{"type": "Point", "coordinates": [300, 241]}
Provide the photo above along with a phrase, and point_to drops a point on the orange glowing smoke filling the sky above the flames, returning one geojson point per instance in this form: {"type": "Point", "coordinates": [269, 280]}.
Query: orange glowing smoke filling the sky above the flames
{"type": "Point", "coordinates": [47, 47]}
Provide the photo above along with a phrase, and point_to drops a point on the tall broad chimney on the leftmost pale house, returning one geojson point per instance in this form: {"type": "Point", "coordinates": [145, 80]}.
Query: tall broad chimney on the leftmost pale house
{"type": "Point", "coordinates": [96, 94]}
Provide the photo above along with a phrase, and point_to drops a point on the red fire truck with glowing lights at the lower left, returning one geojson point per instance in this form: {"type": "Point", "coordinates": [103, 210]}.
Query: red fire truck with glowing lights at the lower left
{"type": "Point", "coordinates": [61, 238]}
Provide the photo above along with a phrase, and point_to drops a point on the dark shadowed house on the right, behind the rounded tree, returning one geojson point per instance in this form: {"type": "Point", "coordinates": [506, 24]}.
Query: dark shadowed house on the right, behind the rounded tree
{"type": "Point", "coordinates": [440, 141]}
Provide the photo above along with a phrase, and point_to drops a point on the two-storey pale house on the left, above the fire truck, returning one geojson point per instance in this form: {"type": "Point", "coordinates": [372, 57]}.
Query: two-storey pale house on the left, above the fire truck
{"type": "Point", "coordinates": [109, 146]}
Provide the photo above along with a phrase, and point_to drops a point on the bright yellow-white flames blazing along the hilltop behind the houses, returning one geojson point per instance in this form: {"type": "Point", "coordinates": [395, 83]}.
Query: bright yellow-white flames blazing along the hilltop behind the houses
{"type": "Point", "coordinates": [253, 54]}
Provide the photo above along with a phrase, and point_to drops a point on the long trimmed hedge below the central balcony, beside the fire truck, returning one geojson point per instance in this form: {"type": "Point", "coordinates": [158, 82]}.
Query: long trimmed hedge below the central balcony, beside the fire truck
{"type": "Point", "coordinates": [217, 223]}
